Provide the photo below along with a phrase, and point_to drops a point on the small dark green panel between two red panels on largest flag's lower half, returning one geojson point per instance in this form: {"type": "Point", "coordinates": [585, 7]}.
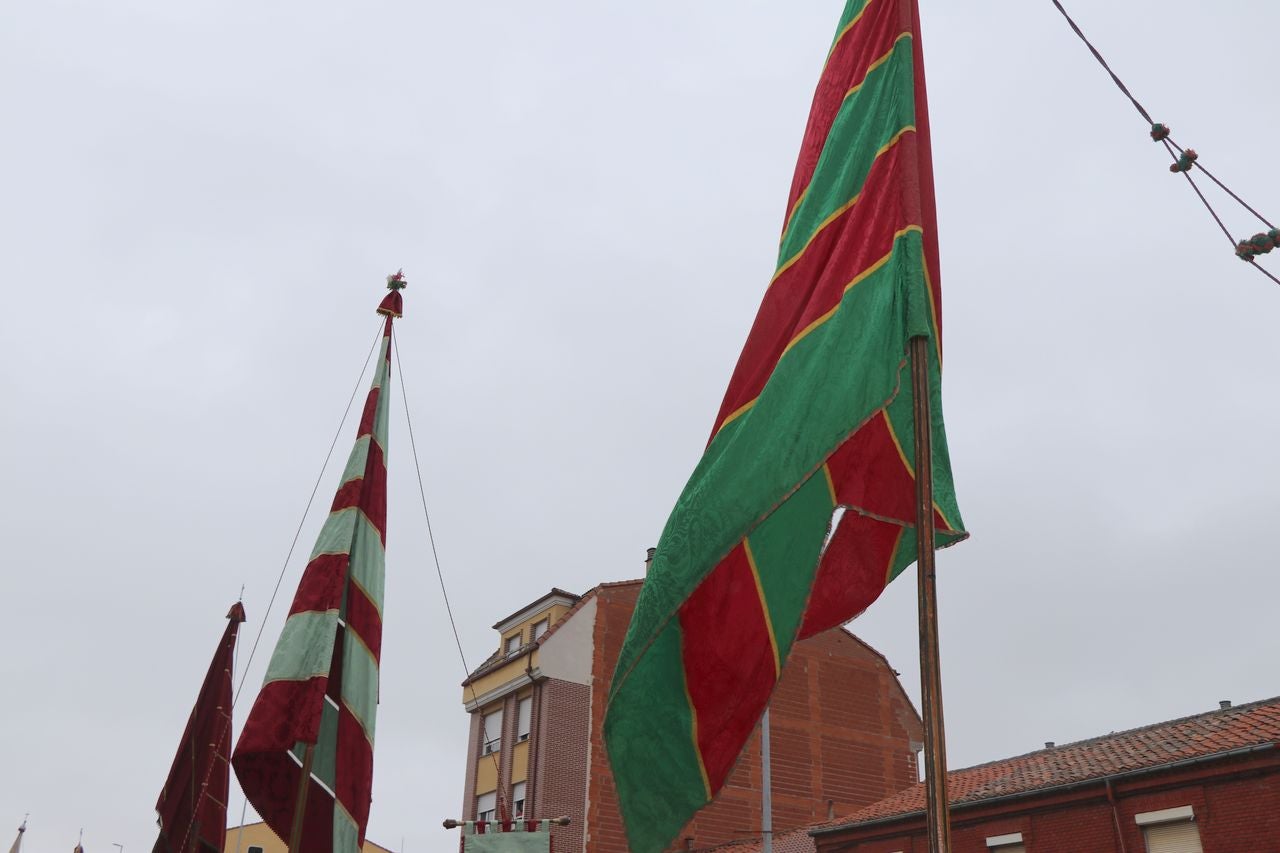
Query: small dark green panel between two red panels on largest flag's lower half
{"type": "Point", "coordinates": [787, 550]}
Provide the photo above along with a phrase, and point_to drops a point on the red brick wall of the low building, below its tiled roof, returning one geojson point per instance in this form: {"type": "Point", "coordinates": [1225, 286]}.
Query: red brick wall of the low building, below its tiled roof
{"type": "Point", "coordinates": [1237, 805]}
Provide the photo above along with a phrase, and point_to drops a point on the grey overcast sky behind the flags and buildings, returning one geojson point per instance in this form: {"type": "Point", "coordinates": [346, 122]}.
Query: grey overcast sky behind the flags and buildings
{"type": "Point", "coordinates": [199, 204]}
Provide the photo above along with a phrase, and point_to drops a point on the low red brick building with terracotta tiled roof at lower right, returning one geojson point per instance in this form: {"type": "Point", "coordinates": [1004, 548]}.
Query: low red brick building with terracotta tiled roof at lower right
{"type": "Point", "coordinates": [1204, 784]}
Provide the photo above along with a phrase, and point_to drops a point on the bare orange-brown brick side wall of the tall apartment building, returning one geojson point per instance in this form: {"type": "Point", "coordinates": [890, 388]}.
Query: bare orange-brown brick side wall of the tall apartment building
{"type": "Point", "coordinates": [843, 731]}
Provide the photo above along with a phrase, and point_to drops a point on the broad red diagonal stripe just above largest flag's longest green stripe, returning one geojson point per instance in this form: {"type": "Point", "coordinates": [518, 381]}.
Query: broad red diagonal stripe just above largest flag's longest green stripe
{"type": "Point", "coordinates": [816, 282]}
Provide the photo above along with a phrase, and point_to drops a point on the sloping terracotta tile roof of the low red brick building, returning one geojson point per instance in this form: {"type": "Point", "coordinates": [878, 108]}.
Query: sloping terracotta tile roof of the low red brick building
{"type": "Point", "coordinates": [1149, 747]}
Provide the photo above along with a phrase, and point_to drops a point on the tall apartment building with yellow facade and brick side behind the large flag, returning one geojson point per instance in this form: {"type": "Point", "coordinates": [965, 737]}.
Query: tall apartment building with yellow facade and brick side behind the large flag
{"type": "Point", "coordinates": [844, 733]}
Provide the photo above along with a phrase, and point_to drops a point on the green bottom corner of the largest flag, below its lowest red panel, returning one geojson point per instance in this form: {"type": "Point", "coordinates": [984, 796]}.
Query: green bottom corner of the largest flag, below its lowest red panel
{"type": "Point", "coordinates": [650, 703]}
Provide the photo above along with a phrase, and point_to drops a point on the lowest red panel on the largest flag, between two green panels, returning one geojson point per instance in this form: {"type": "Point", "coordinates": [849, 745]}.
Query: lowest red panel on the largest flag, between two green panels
{"type": "Point", "coordinates": [730, 672]}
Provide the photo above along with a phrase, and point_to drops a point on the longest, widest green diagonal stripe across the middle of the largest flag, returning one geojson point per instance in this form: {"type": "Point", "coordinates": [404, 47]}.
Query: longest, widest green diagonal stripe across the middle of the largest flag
{"type": "Point", "coordinates": [738, 483]}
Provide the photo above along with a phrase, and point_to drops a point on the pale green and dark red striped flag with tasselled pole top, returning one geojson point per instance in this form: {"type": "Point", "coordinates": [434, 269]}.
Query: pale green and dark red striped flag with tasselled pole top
{"type": "Point", "coordinates": [322, 685]}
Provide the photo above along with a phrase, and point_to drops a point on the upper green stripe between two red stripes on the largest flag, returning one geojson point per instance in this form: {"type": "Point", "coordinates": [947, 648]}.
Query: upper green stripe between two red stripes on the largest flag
{"type": "Point", "coordinates": [867, 121]}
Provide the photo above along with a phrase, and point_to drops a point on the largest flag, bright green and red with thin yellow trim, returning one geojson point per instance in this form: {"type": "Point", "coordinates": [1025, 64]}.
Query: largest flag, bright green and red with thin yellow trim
{"type": "Point", "coordinates": [817, 418]}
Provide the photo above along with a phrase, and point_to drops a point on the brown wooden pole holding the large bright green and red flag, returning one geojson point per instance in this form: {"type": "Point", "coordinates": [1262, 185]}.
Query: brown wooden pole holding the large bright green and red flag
{"type": "Point", "coordinates": [931, 672]}
